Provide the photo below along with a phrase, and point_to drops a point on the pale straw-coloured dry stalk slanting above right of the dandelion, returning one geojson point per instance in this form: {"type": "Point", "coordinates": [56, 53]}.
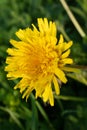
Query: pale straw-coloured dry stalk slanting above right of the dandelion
{"type": "Point", "coordinates": [72, 18]}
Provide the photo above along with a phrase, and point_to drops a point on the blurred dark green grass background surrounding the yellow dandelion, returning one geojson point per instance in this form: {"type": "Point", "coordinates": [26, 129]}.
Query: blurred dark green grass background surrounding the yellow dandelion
{"type": "Point", "coordinates": [69, 113]}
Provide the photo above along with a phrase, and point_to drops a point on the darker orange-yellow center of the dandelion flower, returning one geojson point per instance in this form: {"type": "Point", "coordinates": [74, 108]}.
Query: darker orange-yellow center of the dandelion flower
{"type": "Point", "coordinates": [41, 61]}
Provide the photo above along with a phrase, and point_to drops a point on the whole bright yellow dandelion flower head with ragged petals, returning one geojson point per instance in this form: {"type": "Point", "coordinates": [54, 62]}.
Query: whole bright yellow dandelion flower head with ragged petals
{"type": "Point", "coordinates": [39, 59]}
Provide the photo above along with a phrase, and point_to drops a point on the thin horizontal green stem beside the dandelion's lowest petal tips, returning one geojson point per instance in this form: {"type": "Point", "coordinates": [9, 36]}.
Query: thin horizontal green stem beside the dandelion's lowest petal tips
{"type": "Point", "coordinates": [70, 98]}
